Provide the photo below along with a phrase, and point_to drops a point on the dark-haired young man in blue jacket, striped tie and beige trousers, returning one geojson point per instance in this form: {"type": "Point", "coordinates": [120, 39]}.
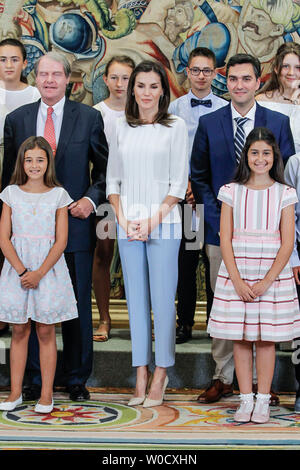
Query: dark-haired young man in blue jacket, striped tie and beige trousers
{"type": "Point", "coordinates": [213, 164]}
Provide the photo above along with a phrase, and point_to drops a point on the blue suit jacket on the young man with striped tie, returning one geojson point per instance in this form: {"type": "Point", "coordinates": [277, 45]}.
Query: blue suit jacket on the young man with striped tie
{"type": "Point", "coordinates": [213, 161]}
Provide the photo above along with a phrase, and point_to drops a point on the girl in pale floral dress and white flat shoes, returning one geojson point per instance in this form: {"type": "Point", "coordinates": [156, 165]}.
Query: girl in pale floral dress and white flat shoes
{"type": "Point", "coordinates": [35, 282]}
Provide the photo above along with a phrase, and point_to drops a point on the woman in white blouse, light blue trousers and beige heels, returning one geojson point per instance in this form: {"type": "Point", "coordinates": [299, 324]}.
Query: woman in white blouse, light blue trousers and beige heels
{"type": "Point", "coordinates": [147, 175]}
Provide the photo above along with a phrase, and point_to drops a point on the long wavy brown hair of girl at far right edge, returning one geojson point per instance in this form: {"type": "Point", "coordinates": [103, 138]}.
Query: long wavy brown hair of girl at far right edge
{"type": "Point", "coordinates": [273, 83]}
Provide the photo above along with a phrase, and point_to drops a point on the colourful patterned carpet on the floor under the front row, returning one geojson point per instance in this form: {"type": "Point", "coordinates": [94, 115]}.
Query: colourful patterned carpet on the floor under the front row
{"type": "Point", "coordinates": [106, 422]}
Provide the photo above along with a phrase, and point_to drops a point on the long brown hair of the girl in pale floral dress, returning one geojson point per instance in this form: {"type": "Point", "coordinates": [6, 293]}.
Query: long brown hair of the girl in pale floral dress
{"type": "Point", "coordinates": [19, 176]}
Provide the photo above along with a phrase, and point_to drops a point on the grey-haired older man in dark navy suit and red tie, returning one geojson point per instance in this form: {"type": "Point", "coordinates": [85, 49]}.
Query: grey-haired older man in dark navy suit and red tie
{"type": "Point", "coordinates": [81, 151]}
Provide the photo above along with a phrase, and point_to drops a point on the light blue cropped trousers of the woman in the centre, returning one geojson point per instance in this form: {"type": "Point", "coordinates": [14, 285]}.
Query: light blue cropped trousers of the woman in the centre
{"type": "Point", "coordinates": [150, 272]}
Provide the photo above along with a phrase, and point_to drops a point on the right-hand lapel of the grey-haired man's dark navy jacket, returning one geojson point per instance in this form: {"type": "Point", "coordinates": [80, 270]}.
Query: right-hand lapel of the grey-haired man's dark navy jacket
{"type": "Point", "coordinates": [67, 126]}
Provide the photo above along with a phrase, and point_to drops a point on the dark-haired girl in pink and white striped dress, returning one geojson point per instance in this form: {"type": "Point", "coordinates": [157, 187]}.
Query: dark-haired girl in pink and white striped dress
{"type": "Point", "coordinates": [255, 297]}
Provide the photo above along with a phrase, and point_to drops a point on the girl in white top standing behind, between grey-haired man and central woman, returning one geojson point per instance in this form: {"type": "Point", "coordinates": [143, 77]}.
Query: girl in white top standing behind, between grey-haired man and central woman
{"type": "Point", "coordinates": [116, 77]}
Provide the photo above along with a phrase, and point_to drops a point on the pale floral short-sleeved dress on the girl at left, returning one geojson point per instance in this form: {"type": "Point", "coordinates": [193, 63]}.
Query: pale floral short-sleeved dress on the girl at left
{"type": "Point", "coordinates": [33, 235]}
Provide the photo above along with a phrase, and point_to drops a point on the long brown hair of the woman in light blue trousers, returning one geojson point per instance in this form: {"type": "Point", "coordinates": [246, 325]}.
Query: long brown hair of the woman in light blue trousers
{"type": "Point", "coordinates": [132, 109]}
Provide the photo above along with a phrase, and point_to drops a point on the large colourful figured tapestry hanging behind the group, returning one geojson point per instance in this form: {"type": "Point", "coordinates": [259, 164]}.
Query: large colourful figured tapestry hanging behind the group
{"type": "Point", "coordinates": [90, 32]}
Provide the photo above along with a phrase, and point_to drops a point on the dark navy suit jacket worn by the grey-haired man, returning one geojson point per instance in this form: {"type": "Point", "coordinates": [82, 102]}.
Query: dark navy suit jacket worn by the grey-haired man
{"type": "Point", "coordinates": [82, 145]}
